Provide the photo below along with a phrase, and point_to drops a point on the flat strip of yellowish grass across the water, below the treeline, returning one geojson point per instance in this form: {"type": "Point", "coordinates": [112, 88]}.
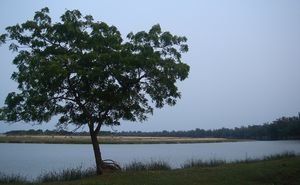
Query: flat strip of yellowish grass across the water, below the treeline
{"type": "Point", "coordinates": [107, 139]}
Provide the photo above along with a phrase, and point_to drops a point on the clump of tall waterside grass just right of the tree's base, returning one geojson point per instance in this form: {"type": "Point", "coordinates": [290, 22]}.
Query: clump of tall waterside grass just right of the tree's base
{"type": "Point", "coordinates": [153, 165]}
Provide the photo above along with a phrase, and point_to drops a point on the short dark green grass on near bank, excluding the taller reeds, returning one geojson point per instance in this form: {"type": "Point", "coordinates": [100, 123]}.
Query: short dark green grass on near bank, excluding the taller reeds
{"type": "Point", "coordinates": [283, 171]}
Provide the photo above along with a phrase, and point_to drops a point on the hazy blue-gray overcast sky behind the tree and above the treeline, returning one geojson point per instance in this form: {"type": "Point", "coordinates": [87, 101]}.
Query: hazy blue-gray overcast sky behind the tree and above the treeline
{"type": "Point", "coordinates": [244, 56]}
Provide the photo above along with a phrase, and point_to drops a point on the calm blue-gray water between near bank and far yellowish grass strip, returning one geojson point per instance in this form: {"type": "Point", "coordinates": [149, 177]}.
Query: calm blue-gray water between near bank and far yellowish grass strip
{"type": "Point", "coordinates": [30, 160]}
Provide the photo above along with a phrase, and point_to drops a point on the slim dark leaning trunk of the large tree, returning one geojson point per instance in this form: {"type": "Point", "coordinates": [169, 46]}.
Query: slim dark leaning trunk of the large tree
{"type": "Point", "coordinates": [97, 152]}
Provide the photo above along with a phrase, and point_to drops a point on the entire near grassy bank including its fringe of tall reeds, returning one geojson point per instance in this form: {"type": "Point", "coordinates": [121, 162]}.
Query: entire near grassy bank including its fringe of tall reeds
{"type": "Point", "coordinates": [257, 171]}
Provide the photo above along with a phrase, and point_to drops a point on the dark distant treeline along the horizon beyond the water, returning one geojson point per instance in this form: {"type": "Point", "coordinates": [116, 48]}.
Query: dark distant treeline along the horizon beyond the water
{"type": "Point", "coordinates": [283, 128]}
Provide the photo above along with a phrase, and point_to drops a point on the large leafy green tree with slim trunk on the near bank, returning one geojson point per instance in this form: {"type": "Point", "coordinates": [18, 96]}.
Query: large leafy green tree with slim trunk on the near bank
{"type": "Point", "coordinates": [84, 72]}
